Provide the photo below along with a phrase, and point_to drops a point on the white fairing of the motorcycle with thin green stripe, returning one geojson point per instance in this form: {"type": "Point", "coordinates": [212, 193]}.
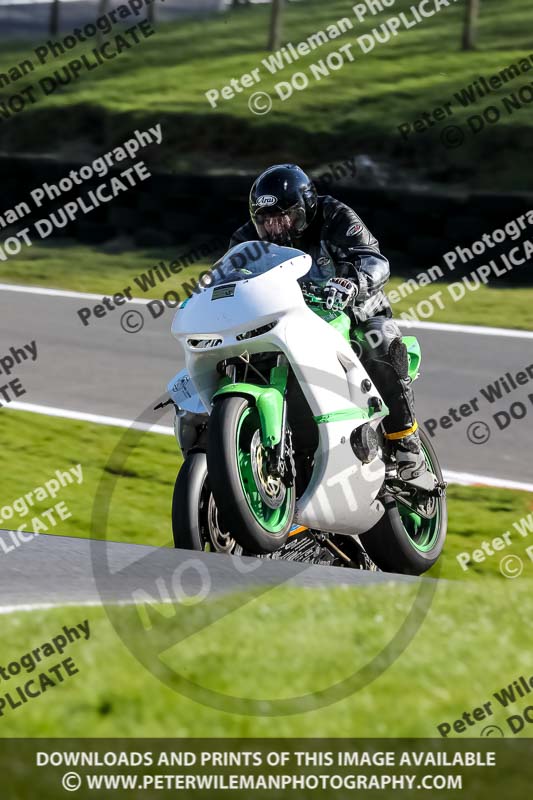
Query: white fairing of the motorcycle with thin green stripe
{"type": "Point", "coordinates": [267, 313]}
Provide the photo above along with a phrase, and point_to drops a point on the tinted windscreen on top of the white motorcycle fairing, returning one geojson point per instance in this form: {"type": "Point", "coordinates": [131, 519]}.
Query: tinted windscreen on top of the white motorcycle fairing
{"type": "Point", "coordinates": [249, 259]}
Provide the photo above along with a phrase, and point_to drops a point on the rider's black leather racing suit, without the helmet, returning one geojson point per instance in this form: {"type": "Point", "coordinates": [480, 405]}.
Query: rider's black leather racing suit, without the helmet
{"type": "Point", "coordinates": [340, 244]}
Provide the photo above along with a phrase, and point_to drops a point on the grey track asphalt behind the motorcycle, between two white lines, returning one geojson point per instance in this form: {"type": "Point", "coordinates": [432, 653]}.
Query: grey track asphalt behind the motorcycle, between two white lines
{"type": "Point", "coordinates": [102, 369]}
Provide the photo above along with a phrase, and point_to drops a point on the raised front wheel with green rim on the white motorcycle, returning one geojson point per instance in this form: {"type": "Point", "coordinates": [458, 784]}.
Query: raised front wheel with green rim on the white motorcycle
{"type": "Point", "coordinates": [255, 503]}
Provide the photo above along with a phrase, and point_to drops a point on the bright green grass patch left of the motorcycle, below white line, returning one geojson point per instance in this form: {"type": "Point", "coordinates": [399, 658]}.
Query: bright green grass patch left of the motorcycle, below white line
{"type": "Point", "coordinates": [139, 509]}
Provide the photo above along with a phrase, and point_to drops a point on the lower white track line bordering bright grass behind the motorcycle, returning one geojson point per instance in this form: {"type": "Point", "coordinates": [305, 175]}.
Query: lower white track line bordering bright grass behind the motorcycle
{"type": "Point", "coordinates": [462, 478]}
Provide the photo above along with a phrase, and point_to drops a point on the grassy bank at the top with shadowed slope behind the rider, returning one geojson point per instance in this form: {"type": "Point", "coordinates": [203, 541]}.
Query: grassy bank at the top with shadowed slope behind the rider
{"type": "Point", "coordinates": [356, 109]}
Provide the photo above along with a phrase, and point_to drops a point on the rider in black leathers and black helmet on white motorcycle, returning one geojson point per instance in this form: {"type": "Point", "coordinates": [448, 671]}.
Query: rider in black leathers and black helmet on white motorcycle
{"type": "Point", "coordinates": [285, 209]}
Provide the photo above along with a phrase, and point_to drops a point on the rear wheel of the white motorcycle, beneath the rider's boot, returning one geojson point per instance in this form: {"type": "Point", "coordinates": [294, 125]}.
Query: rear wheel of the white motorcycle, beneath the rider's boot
{"type": "Point", "coordinates": [403, 541]}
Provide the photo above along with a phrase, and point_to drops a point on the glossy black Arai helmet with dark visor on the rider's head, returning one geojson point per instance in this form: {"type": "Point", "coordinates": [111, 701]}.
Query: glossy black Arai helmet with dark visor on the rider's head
{"type": "Point", "coordinates": [283, 203]}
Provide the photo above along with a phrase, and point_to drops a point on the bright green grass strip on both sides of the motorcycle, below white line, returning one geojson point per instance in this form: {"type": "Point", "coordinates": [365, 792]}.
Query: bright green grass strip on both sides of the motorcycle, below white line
{"type": "Point", "coordinates": [132, 476]}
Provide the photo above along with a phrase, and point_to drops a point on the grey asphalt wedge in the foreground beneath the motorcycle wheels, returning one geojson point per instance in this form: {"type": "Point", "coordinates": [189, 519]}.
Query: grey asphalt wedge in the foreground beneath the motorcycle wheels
{"type": "Point", "coordinates": [50, 571]}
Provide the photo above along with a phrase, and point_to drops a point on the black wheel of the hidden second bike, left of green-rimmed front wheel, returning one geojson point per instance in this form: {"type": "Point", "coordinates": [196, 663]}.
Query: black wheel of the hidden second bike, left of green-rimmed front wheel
{"type": "Point", "coordinates": [195, 519]}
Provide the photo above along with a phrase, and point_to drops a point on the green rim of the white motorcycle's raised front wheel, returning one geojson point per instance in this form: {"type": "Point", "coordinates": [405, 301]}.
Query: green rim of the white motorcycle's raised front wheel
{"type": "Point", "coordinates": [271, 519]}
